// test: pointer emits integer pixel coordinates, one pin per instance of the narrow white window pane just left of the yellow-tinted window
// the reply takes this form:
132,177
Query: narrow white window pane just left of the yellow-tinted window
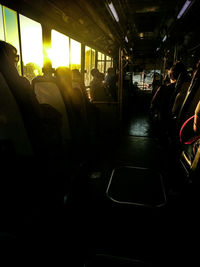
75,57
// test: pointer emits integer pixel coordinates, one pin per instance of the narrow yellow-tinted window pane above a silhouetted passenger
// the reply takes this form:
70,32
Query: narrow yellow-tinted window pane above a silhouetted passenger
89,64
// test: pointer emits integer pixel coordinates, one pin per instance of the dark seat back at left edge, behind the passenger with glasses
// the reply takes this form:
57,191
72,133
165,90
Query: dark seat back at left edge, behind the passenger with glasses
12,130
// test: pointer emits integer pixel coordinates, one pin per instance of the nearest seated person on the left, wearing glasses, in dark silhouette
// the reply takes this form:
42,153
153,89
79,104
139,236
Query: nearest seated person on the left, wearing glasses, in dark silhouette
38,119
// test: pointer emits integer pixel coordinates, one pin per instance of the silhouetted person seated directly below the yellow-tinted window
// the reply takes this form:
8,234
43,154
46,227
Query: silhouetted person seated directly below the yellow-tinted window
98,90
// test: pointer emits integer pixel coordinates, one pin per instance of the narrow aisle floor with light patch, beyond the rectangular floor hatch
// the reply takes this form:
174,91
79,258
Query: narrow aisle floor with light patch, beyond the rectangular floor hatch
139,145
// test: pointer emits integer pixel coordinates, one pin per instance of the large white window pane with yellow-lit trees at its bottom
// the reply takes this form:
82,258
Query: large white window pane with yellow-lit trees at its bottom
32,53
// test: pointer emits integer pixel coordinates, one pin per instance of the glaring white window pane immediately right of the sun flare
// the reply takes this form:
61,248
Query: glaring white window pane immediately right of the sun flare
59,49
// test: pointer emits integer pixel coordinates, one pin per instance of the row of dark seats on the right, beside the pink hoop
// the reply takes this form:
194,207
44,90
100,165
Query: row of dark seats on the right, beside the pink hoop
179,127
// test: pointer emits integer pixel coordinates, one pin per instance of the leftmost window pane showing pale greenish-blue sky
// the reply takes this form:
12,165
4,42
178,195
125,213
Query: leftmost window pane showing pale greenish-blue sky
11,30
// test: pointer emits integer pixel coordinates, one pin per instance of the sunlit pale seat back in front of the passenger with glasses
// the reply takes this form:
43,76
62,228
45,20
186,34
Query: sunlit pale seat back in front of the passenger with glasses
47,92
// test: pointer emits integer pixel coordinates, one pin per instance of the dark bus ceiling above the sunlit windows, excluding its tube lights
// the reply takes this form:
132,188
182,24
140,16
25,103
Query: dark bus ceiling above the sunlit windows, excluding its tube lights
144,22
